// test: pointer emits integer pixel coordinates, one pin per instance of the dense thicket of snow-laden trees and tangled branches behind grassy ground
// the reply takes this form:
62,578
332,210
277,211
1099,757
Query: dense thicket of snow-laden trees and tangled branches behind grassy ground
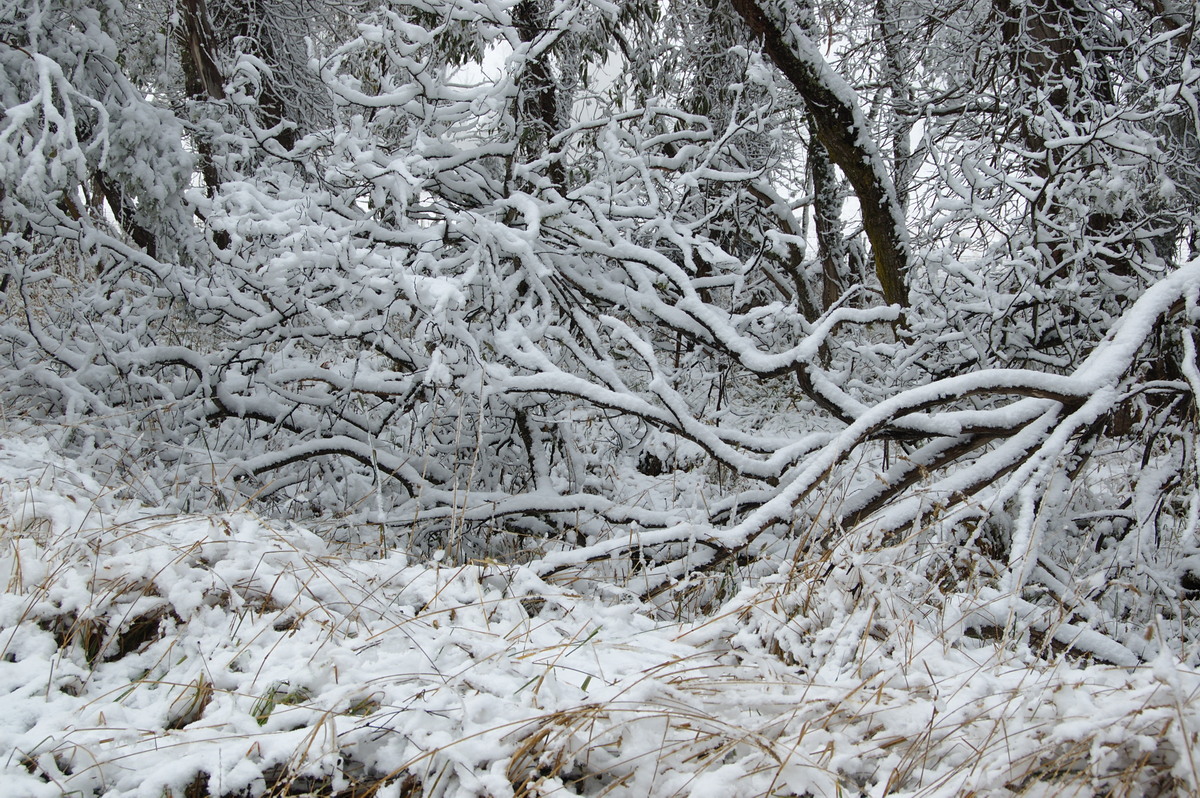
667,295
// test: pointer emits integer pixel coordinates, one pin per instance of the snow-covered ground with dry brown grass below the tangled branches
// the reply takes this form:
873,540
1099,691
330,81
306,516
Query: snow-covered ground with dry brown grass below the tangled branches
151,655
